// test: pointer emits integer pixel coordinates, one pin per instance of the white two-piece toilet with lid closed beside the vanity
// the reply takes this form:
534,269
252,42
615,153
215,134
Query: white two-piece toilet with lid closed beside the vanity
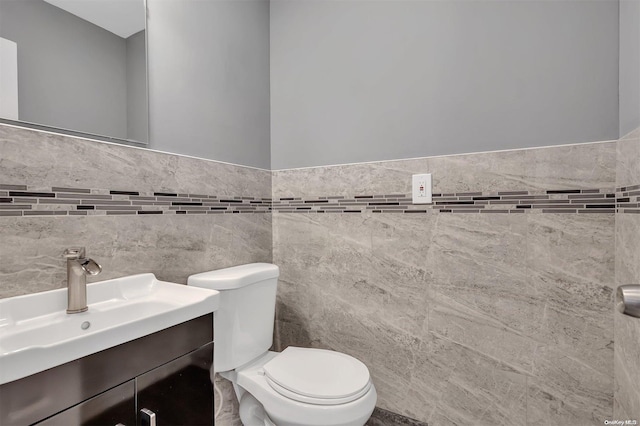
296,387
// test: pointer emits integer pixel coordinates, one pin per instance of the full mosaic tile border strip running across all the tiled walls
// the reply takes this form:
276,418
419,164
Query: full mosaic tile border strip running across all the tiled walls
21,200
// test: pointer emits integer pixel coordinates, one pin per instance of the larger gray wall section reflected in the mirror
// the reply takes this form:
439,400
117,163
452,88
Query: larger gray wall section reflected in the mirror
71,74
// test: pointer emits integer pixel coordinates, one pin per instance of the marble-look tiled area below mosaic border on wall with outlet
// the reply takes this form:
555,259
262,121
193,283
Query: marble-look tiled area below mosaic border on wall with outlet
490,327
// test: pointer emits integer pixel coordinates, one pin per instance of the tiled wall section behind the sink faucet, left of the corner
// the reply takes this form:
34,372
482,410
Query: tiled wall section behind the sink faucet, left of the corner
134,210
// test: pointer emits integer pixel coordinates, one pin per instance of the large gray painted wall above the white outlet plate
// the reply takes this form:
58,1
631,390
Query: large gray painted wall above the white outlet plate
356,81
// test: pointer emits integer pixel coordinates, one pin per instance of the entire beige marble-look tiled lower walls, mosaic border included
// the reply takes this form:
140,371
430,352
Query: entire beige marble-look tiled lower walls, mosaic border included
493,306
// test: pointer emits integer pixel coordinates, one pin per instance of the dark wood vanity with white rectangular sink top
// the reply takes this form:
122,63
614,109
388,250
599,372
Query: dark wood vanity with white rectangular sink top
140,355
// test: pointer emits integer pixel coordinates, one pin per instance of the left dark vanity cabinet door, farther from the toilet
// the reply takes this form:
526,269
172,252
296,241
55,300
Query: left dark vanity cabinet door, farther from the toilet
115,406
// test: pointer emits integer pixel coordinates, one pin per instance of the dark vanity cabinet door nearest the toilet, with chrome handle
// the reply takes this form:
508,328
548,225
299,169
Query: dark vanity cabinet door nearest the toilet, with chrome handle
179,392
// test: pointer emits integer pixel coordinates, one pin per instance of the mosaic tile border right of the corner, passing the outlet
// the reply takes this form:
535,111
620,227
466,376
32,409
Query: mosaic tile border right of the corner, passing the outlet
581,201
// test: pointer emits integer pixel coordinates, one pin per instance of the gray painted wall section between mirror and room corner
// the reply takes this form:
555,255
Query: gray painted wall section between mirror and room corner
209,79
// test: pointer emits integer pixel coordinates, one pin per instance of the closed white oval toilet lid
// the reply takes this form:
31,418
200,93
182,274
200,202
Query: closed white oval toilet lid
317,376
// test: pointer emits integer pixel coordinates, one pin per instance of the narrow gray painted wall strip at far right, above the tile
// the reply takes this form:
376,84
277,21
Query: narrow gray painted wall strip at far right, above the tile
629,66
